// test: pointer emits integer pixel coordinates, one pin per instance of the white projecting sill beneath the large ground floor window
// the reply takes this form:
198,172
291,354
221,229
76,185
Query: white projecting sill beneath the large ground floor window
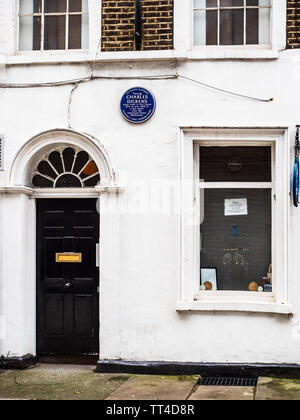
233,306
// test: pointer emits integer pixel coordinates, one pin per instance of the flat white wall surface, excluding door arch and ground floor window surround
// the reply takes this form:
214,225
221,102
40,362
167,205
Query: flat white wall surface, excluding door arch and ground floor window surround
140,247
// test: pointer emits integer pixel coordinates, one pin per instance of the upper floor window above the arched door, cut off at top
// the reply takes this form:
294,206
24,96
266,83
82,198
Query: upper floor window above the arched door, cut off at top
53,24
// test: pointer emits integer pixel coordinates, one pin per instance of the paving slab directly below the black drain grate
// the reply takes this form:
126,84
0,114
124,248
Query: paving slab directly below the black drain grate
223,393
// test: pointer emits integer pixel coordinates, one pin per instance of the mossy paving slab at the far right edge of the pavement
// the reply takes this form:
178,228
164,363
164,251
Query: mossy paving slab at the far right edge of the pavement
278,389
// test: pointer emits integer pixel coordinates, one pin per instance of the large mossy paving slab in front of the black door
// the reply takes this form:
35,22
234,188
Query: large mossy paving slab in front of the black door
58,383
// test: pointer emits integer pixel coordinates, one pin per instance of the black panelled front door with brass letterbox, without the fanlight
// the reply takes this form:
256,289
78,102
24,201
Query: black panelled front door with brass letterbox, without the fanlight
67,276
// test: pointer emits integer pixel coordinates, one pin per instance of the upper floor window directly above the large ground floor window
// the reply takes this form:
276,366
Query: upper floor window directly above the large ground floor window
231,22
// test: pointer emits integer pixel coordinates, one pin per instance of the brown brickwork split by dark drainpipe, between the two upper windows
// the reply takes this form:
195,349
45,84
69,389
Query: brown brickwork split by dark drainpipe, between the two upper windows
118,25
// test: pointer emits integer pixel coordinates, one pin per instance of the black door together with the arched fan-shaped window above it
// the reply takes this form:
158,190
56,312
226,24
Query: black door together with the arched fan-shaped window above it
67,246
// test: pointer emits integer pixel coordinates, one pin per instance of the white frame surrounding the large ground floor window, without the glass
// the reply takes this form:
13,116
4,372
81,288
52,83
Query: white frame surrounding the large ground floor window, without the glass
189,296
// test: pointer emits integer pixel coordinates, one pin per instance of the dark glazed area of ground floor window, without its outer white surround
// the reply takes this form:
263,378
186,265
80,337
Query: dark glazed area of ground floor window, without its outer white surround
235,218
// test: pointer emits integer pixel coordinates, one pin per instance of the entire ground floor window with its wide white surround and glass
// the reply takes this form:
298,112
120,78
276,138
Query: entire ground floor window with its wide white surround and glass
234,220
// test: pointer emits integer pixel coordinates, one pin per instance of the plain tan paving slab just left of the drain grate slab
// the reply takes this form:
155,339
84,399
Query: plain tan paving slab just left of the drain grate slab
144,387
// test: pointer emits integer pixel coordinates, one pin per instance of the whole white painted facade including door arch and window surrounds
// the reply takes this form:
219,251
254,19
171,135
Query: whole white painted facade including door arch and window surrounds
150,307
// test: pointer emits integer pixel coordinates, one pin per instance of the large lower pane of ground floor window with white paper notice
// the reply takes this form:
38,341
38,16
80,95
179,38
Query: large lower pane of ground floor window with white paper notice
235,236
